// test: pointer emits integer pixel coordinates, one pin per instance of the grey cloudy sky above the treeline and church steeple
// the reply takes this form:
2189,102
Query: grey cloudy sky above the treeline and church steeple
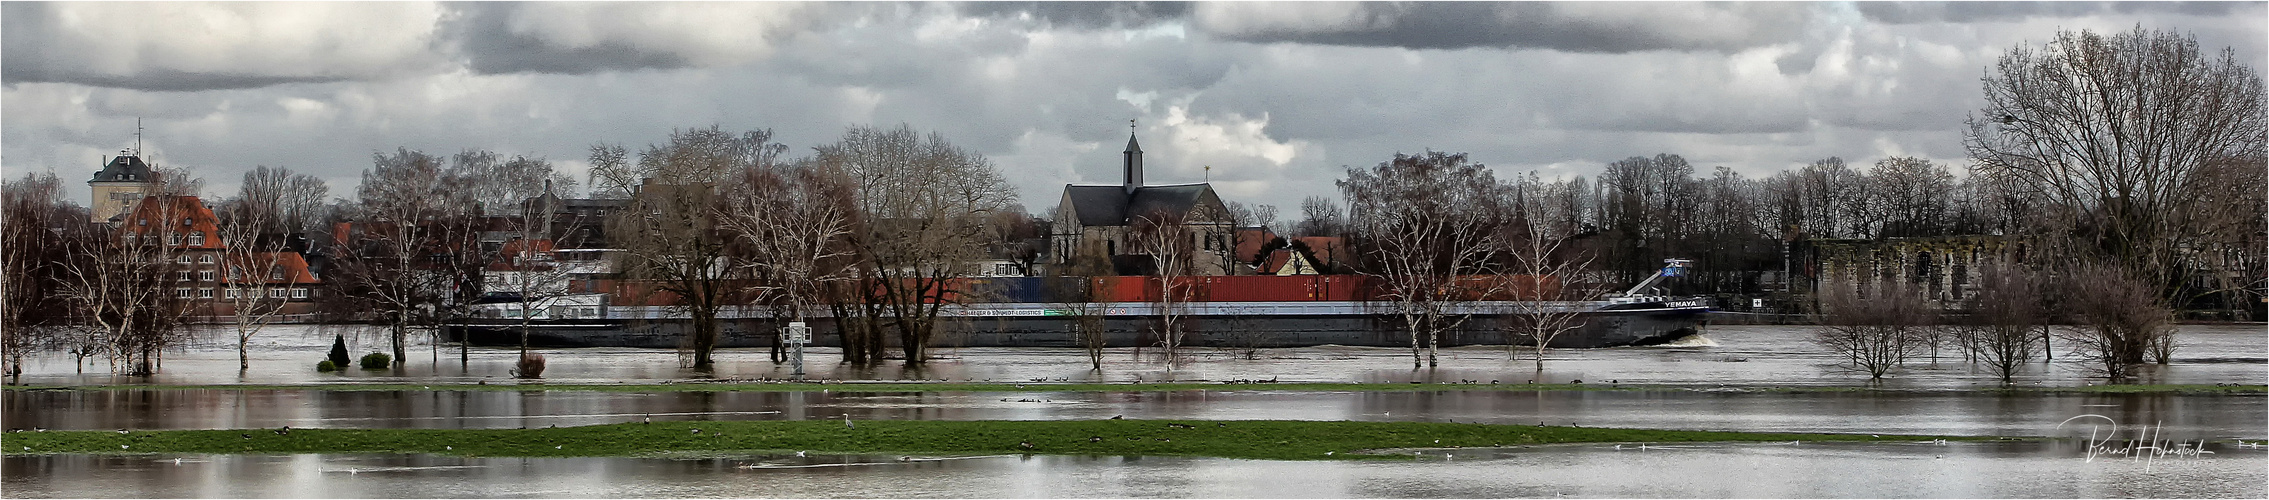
1276,97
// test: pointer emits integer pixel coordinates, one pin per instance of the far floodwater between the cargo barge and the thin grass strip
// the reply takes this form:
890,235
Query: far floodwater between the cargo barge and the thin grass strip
1739,356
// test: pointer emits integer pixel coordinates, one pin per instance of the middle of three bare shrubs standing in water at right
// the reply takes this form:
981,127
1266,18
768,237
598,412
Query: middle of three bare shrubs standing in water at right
2005,319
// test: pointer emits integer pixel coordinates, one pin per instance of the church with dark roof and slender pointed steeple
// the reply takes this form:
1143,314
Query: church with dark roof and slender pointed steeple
1095,222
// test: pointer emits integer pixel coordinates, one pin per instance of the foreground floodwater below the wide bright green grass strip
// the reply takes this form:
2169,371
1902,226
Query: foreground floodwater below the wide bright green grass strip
1578,472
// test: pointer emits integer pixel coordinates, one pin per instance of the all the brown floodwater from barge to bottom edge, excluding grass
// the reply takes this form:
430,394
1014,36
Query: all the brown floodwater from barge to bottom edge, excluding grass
1719,367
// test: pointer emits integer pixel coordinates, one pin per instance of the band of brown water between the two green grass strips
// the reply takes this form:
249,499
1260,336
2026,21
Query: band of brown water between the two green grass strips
1977,415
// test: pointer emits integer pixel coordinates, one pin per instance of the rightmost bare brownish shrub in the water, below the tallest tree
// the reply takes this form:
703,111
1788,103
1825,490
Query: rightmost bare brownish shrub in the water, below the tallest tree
2120,317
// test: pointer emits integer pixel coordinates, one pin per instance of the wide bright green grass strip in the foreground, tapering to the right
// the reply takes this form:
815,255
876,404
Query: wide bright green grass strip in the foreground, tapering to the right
1233,440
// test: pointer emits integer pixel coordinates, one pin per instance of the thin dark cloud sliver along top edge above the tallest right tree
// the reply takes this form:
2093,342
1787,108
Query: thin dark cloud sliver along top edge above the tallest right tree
1982,12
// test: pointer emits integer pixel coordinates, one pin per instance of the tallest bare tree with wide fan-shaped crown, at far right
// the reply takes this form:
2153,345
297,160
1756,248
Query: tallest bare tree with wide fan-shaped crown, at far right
2111,131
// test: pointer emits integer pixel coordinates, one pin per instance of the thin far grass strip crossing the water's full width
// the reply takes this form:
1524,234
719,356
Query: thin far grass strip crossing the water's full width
1079,387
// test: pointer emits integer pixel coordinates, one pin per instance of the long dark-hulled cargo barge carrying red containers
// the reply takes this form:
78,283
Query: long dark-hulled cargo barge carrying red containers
1131,319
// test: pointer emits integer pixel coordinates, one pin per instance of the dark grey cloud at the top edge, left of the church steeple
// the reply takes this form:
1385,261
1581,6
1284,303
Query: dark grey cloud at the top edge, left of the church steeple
489,44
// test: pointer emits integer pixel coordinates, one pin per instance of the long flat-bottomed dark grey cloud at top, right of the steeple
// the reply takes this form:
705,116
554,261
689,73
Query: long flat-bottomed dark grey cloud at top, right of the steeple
1558,26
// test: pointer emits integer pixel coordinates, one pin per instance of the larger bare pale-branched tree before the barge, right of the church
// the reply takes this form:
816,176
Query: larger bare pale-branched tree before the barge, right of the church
1426,222
